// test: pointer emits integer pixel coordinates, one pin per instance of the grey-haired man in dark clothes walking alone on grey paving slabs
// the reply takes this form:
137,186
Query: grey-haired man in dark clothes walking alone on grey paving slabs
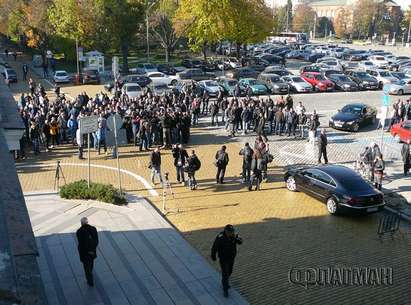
87,238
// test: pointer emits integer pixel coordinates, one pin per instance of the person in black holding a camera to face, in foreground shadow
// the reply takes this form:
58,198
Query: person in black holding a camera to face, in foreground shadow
225,246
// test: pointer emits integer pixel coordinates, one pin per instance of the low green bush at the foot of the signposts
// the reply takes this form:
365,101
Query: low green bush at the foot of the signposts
97,191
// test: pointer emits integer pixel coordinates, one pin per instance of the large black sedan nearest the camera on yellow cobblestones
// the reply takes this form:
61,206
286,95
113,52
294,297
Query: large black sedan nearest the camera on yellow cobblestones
339,187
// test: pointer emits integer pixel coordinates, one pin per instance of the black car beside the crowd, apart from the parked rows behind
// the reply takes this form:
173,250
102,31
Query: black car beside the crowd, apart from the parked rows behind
353,116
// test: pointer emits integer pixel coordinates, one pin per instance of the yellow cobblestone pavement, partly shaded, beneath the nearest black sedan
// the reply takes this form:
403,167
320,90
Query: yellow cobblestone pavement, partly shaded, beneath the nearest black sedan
281,230
